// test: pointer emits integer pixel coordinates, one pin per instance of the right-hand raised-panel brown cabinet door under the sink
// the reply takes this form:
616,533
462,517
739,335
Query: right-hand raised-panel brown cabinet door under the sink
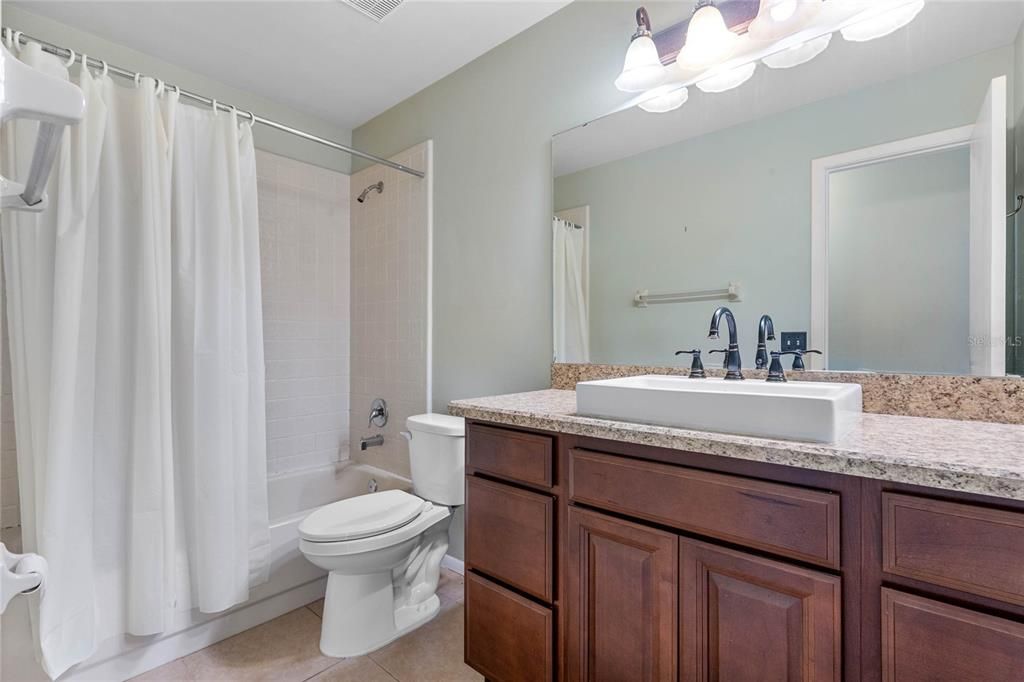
746,619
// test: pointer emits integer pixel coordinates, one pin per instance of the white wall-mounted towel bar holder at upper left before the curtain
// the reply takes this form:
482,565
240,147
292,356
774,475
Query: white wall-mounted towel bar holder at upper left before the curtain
29,94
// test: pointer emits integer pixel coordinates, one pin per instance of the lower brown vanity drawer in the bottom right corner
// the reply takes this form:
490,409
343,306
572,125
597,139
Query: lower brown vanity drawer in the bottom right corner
924,641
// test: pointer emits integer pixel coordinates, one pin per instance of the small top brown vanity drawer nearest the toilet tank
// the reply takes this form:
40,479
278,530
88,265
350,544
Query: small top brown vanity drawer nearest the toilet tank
513,455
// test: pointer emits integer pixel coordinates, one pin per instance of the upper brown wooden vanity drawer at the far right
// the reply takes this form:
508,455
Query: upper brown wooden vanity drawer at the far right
955,545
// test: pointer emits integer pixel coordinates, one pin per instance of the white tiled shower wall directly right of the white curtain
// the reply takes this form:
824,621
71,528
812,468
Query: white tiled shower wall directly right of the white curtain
305,252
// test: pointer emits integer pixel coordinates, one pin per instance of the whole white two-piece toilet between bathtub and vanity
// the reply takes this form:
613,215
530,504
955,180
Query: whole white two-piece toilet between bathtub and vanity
383,550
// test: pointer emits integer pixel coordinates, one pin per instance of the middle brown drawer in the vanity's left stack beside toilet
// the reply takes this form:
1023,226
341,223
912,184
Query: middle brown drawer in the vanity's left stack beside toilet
510,536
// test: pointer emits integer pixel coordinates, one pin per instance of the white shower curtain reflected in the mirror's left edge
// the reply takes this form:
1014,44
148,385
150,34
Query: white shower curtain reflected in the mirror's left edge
572,321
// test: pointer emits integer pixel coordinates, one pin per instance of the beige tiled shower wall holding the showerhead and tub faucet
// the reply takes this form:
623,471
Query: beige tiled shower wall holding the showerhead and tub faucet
391,305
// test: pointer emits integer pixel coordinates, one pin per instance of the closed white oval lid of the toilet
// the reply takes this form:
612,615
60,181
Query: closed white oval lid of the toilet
364,517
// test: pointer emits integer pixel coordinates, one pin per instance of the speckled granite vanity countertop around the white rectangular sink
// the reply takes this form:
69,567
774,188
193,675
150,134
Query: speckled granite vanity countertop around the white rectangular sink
971,457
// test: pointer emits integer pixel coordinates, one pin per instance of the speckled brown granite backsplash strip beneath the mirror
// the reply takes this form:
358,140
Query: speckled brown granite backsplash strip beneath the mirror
971,399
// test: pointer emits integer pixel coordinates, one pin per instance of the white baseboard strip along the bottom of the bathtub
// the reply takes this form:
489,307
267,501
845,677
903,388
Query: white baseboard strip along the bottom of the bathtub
189,642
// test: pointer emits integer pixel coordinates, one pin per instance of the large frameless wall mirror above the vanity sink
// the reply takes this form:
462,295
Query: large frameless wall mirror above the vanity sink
861,199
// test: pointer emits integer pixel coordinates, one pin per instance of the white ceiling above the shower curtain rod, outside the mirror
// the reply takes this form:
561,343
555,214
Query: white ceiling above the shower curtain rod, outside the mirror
323,57
